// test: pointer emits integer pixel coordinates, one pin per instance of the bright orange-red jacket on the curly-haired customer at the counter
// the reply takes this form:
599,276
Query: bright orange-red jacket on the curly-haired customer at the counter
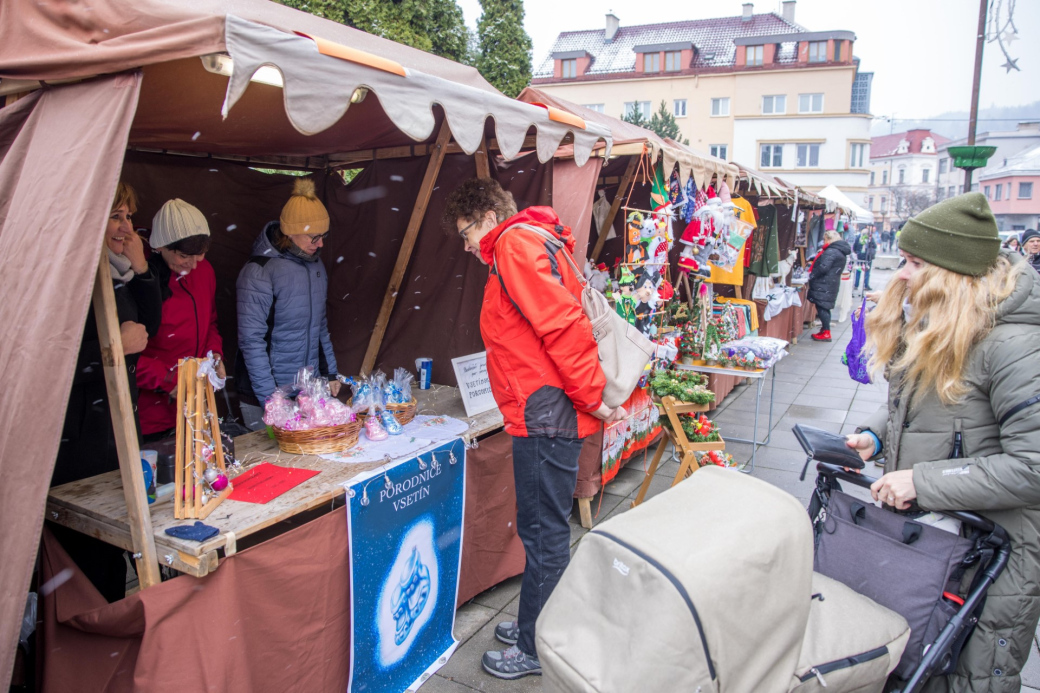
542,360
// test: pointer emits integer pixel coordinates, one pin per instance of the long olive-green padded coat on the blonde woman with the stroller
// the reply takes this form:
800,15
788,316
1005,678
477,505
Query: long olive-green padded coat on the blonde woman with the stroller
999,477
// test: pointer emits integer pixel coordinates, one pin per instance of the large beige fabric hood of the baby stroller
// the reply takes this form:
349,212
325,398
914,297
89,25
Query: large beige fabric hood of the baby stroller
708,585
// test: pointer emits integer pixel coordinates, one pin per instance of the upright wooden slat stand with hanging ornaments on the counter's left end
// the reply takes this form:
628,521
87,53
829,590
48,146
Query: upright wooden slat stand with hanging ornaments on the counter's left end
197,420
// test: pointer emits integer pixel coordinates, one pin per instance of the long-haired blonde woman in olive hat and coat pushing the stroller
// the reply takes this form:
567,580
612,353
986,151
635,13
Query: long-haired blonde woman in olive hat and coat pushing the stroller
958,336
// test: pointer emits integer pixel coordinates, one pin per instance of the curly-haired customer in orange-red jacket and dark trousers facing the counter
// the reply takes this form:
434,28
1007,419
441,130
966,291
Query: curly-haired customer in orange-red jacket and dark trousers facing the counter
545,376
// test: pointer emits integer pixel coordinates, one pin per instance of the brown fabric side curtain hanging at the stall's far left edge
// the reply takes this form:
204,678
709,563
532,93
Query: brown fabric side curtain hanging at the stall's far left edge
61,155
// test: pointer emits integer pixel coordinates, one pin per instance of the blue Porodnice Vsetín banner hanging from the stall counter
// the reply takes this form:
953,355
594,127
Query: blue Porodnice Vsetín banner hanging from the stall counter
405,524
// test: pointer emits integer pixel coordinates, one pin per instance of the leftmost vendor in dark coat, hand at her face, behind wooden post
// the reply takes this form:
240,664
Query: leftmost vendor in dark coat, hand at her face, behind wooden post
88,447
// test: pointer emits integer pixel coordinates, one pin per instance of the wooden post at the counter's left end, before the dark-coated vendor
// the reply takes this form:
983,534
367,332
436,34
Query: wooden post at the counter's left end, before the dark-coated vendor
124,426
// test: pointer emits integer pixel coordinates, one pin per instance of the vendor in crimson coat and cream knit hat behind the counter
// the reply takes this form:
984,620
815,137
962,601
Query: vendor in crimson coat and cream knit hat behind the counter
180,237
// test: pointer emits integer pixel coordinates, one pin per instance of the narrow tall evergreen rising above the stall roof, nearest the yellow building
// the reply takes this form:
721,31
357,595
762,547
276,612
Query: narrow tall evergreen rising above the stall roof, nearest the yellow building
506,48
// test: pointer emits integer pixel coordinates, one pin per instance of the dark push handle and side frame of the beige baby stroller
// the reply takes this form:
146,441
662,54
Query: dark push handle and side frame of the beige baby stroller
992,551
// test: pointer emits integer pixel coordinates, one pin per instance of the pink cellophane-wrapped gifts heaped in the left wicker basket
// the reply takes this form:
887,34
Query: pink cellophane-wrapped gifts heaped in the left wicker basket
307,404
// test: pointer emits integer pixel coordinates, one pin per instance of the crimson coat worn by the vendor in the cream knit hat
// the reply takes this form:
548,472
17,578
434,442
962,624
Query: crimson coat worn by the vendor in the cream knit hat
189,328
